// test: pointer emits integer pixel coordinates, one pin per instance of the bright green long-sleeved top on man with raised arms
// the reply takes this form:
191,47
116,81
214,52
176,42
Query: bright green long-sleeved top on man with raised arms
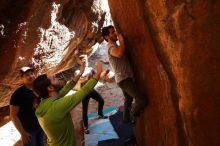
54,114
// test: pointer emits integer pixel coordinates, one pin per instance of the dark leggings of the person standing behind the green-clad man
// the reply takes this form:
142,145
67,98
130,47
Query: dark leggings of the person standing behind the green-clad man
96,96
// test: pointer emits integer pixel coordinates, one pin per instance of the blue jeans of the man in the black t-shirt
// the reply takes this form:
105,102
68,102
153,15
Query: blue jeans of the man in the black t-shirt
37,138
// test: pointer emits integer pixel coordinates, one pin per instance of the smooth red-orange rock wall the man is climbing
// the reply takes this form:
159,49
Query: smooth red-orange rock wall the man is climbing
174,46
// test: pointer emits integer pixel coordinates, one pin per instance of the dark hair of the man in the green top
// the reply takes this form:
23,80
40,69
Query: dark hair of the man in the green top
40,85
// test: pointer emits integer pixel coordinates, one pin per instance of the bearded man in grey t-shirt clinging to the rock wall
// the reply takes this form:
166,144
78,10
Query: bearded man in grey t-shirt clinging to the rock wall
123,73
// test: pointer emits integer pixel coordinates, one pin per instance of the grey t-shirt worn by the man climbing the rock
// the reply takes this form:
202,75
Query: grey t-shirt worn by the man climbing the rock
120,66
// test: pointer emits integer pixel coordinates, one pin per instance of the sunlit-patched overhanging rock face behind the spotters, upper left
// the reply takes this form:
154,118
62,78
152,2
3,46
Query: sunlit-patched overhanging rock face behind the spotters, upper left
45,34
